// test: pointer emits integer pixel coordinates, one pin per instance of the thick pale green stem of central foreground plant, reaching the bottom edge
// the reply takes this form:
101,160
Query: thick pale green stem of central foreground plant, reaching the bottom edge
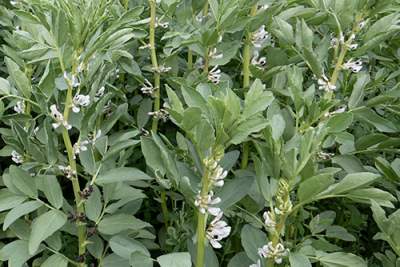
201,223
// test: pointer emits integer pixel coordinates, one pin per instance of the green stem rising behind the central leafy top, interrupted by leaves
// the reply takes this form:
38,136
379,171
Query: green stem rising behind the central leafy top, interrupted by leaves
246,81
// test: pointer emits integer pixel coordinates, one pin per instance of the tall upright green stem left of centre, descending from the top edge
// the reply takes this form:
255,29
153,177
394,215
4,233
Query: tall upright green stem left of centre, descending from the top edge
154,63
